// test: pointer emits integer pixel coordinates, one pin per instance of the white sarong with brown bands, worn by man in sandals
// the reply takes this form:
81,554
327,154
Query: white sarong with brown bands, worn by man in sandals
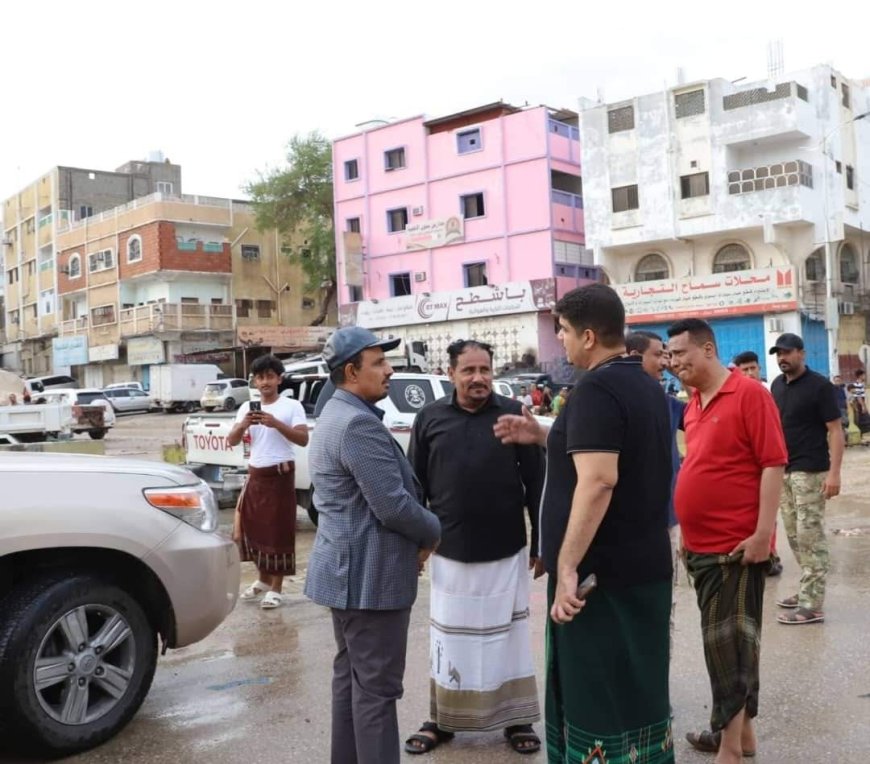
481,674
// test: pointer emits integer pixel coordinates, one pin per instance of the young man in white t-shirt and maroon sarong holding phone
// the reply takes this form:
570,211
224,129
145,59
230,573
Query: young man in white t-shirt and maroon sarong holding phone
265,520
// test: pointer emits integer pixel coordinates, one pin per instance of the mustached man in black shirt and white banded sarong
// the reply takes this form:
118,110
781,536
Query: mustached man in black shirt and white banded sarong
482,675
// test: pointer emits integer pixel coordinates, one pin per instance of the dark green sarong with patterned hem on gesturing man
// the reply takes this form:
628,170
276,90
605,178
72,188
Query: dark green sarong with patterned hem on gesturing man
607,679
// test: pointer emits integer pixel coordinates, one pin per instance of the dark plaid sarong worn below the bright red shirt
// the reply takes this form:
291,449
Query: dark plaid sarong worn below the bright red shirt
730,596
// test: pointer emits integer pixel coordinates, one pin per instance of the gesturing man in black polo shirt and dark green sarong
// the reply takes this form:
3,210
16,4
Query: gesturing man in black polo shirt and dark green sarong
605,512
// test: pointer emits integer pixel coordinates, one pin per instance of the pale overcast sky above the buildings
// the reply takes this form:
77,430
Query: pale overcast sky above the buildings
220,87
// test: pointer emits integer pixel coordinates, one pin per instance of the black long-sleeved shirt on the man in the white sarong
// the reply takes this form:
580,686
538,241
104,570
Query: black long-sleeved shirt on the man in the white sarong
477,486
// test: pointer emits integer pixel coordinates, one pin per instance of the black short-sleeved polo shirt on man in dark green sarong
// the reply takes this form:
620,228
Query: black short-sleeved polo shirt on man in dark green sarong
616,408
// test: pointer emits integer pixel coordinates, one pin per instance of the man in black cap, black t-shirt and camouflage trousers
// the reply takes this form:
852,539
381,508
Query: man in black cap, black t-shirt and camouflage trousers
814,437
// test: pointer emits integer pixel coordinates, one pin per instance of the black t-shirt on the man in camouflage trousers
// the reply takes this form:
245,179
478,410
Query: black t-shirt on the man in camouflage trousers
806,405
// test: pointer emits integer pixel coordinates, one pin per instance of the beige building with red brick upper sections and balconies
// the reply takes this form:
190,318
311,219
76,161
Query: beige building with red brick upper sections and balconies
171,279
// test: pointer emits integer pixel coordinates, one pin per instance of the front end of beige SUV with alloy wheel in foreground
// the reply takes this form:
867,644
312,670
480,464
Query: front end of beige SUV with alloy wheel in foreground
96,564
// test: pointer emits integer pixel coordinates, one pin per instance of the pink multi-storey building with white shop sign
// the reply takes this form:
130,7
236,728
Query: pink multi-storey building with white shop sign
469,225
